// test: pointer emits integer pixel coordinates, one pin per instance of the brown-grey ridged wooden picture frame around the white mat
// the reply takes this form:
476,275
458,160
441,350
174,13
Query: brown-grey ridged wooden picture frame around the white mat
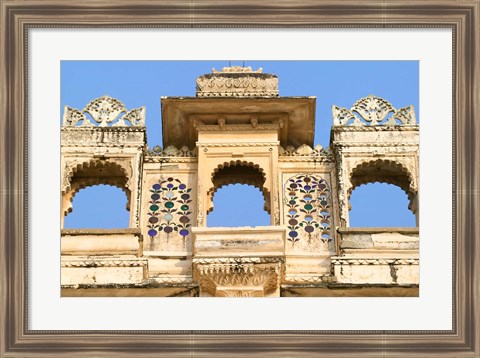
18,17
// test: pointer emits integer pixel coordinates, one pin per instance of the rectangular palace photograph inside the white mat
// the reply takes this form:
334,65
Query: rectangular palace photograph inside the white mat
239,178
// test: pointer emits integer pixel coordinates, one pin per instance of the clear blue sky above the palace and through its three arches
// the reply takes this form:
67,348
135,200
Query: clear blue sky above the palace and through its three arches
142,83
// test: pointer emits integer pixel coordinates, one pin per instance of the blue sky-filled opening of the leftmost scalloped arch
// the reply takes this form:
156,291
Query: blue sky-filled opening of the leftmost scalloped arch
99,206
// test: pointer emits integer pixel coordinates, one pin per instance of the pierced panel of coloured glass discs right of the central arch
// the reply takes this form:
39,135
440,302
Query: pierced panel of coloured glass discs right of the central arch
308,208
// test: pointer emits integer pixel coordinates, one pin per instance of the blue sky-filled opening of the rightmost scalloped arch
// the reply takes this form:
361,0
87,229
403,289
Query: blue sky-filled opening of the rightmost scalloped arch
380,205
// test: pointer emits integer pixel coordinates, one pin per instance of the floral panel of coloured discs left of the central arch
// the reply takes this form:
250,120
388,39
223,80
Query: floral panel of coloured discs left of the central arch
169,209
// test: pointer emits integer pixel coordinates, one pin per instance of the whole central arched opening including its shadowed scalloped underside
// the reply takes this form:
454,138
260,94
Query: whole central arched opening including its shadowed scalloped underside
238,197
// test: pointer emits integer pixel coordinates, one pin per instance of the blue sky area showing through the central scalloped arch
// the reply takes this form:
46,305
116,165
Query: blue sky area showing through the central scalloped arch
238,205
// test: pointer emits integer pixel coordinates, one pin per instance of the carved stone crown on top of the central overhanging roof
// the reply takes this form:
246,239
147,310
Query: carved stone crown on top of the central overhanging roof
237,81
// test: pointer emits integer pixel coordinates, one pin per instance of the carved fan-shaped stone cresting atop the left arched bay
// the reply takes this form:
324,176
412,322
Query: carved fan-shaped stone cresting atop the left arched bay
104,111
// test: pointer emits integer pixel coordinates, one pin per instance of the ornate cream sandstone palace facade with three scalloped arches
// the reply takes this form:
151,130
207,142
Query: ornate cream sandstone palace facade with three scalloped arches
237,129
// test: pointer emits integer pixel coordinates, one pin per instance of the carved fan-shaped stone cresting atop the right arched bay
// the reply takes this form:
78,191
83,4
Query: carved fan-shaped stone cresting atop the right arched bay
373,111
